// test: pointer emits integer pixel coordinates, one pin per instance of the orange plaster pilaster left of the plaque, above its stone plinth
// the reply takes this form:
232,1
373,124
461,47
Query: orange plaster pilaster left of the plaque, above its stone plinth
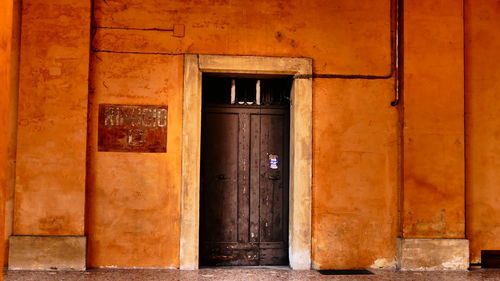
52,123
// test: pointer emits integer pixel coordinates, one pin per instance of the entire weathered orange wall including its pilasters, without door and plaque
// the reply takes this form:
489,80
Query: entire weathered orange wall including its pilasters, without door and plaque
132,208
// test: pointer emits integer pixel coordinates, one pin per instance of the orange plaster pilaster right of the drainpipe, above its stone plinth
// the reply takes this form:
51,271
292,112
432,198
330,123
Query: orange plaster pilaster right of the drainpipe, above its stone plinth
433,131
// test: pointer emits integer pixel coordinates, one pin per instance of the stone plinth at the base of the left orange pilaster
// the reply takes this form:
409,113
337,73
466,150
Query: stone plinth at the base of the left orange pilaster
47,252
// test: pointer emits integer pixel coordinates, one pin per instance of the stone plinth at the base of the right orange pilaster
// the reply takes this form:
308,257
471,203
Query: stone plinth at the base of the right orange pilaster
433,254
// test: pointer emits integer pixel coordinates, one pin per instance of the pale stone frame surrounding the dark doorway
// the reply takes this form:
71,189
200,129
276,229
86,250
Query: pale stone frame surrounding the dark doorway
300,148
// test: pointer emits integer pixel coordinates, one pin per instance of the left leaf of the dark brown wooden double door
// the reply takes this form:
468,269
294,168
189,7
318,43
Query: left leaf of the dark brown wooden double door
224,212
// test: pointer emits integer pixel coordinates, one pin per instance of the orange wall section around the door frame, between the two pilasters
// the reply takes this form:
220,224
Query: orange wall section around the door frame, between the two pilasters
355,130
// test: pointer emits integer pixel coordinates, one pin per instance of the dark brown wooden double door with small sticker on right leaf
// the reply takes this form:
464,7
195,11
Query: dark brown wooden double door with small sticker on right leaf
244,185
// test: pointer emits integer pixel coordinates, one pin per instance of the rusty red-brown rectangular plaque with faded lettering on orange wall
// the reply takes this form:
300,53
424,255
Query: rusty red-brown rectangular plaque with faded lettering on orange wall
132,128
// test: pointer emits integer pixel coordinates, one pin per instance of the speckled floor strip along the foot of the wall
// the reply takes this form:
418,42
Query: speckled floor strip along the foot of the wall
244,274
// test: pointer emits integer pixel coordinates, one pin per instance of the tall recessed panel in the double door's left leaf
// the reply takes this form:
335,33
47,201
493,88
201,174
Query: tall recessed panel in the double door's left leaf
219,178
